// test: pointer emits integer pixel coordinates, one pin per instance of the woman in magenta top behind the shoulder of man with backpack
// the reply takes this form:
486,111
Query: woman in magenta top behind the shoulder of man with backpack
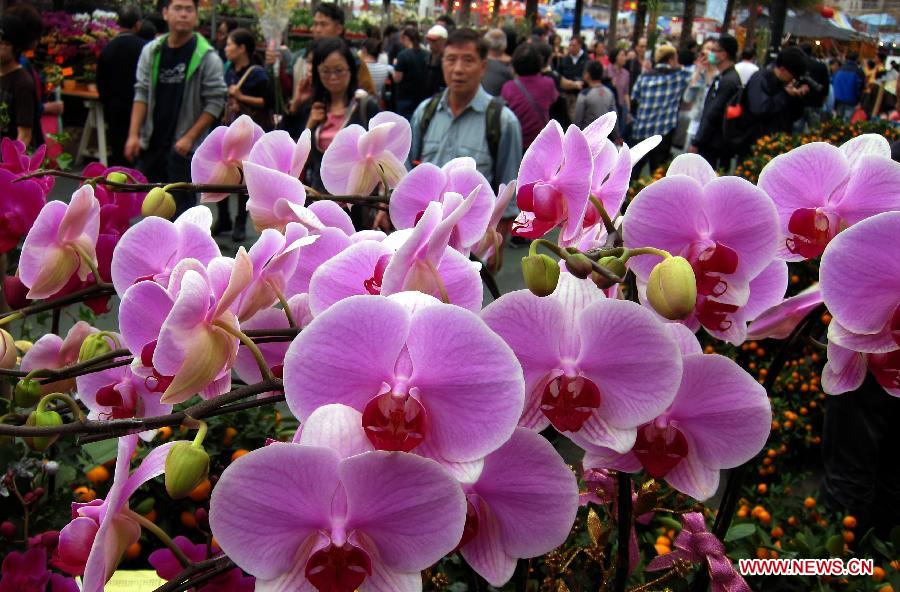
530,94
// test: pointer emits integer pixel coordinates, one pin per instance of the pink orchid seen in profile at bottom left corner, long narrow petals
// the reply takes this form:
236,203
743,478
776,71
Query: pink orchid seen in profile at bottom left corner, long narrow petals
93,543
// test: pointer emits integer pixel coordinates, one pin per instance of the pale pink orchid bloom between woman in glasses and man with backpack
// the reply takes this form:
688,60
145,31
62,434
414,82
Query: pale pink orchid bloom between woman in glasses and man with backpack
358,160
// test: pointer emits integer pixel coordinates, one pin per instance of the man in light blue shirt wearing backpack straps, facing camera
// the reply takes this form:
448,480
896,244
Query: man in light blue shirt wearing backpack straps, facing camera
464,120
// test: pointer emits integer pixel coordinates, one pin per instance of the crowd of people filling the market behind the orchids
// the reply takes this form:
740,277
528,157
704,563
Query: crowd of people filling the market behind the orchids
485,95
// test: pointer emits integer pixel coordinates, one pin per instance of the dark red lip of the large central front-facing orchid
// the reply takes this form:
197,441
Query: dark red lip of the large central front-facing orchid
394,422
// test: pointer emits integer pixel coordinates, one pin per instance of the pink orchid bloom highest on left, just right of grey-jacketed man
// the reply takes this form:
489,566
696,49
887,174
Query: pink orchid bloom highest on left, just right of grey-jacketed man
218,158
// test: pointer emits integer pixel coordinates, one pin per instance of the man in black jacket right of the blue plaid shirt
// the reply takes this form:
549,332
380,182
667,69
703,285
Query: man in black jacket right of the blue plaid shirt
709,141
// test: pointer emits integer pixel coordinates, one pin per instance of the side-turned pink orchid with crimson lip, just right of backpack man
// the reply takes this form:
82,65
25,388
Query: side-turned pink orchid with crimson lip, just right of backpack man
554,183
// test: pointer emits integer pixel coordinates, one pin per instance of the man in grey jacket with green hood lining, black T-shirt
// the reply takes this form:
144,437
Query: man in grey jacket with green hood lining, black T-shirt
179,95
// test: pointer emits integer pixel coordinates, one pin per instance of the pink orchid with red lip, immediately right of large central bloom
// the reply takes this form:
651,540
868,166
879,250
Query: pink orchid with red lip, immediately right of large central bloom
574,380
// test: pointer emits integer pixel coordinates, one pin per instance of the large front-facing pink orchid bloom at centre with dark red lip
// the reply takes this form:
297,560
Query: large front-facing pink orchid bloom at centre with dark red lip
407,395
